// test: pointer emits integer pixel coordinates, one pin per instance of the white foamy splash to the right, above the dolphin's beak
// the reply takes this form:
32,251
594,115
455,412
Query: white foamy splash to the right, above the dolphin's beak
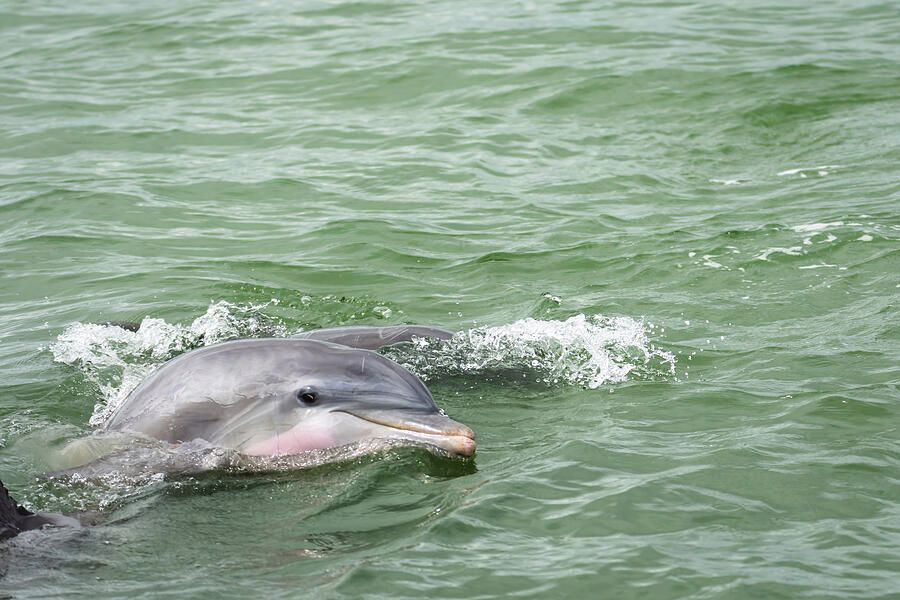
589,351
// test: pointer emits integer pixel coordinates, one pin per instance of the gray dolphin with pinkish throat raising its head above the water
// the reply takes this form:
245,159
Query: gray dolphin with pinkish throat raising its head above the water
284,396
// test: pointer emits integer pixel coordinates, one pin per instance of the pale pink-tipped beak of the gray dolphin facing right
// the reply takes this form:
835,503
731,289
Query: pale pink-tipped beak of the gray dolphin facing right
433,429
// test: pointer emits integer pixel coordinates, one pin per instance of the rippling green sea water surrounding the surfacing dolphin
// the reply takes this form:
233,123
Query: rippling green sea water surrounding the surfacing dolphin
719,179
